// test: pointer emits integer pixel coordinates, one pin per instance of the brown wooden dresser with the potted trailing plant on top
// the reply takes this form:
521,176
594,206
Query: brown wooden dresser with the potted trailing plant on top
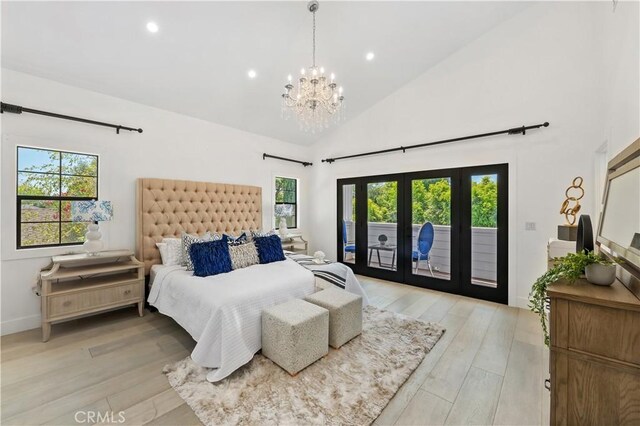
594,354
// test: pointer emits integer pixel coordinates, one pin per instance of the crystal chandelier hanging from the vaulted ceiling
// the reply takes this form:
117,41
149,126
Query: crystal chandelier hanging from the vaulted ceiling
316,100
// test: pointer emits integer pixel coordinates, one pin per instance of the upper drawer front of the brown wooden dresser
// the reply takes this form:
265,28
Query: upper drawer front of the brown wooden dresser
605,331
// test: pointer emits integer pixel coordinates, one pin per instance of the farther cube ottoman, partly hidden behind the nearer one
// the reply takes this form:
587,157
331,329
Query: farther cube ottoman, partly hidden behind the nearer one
345,314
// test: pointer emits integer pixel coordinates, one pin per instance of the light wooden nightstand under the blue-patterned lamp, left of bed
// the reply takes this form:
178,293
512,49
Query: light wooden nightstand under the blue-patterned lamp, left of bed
77,285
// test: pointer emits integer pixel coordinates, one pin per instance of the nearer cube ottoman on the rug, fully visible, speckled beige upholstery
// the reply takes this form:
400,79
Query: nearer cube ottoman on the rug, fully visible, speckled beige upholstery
295,334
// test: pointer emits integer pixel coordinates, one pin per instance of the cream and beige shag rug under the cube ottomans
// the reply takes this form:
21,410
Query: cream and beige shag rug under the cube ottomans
350,385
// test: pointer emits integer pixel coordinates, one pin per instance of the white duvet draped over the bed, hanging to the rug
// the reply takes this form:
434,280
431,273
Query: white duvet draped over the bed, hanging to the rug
223,312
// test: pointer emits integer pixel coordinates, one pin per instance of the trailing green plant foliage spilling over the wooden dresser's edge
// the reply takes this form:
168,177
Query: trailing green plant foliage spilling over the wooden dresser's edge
571,267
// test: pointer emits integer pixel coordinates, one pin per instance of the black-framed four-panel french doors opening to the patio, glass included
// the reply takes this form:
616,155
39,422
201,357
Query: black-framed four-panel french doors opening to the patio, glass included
439,229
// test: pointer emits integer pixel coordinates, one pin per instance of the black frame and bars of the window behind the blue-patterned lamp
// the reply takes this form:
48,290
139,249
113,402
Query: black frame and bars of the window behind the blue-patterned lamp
60,199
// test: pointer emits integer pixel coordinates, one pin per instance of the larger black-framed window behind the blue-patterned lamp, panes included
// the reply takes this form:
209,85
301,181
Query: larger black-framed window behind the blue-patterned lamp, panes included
48,181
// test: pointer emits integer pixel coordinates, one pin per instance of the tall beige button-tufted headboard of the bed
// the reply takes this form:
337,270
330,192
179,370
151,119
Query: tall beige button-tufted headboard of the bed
166,208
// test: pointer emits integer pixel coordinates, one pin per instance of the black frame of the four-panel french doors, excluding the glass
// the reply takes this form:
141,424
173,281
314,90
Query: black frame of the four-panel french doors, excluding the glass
460,280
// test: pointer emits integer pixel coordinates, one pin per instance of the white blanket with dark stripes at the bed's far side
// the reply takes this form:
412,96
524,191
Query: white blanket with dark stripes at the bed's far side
332,273
